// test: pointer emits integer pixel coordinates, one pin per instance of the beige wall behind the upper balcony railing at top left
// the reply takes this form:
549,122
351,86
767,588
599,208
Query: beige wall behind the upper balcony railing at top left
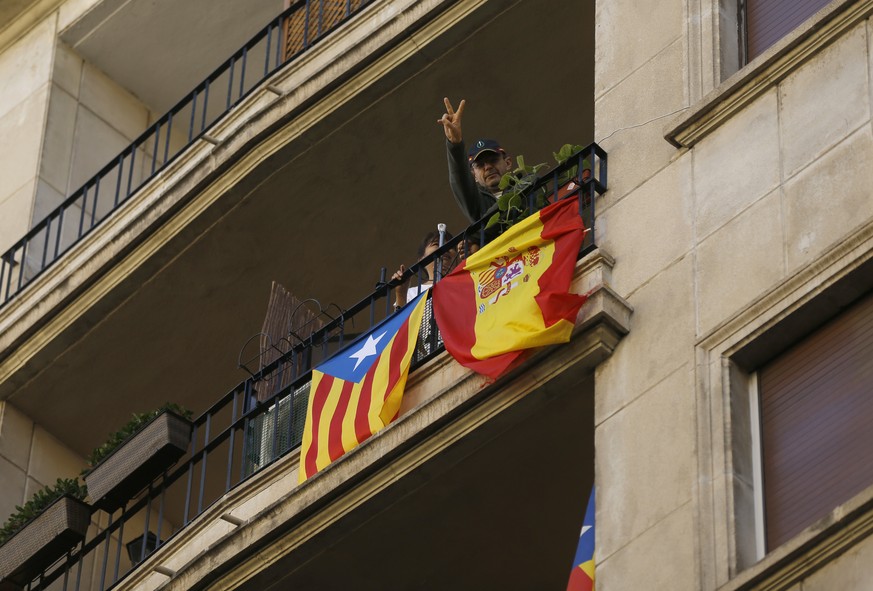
61,120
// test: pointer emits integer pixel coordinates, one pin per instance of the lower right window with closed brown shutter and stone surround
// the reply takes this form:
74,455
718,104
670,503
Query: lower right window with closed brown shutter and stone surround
784,424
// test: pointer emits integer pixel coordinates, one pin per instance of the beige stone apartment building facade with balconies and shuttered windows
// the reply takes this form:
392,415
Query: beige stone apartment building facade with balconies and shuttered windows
162,165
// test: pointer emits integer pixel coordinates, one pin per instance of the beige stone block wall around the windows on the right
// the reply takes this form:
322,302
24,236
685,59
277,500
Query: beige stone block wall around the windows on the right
702,235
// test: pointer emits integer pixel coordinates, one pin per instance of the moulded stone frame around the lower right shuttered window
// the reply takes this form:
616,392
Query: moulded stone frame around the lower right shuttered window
729,500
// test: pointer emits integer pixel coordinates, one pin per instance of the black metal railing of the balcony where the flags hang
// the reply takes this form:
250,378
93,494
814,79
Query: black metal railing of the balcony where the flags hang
238,435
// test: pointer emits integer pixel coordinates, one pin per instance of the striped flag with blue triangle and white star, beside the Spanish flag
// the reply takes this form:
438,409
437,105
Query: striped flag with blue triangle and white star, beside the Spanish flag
358,391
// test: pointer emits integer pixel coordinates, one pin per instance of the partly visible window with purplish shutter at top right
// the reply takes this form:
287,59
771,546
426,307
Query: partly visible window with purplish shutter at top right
764,22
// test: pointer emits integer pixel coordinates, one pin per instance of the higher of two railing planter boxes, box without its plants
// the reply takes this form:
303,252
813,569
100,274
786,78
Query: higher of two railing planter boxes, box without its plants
138,460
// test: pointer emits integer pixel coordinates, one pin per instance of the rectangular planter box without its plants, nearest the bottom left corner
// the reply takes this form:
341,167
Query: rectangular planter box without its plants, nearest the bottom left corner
42,541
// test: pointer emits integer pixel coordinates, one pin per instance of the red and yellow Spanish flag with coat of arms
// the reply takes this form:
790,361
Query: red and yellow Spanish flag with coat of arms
513,294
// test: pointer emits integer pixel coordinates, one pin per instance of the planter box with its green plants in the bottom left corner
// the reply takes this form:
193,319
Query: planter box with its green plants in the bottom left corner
52,522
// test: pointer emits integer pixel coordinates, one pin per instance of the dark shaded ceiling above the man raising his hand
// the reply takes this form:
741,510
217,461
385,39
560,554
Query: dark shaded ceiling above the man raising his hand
352,194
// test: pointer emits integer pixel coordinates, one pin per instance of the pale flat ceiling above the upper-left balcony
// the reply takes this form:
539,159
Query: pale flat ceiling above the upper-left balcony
160,49
